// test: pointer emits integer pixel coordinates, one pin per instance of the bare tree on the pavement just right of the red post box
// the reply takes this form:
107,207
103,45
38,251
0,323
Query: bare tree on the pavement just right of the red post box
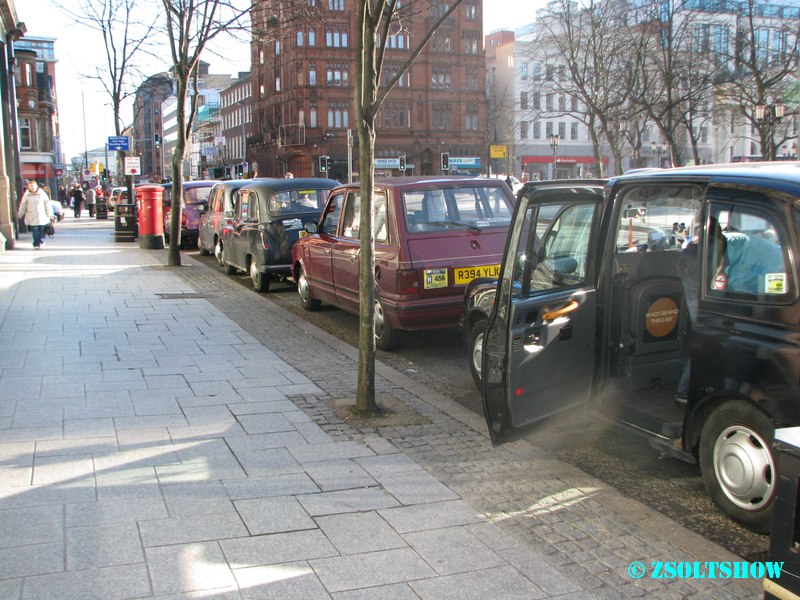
190,25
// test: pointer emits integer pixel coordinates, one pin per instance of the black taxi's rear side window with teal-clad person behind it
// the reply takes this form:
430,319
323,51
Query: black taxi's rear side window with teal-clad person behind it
746,257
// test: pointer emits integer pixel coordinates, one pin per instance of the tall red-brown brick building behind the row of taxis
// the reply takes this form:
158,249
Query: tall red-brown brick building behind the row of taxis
303,77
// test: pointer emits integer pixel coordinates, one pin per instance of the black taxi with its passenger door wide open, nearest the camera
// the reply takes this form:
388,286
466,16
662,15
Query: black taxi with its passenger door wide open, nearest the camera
592,307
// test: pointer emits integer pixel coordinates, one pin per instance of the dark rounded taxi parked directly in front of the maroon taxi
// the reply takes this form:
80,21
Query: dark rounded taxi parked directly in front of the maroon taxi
270,217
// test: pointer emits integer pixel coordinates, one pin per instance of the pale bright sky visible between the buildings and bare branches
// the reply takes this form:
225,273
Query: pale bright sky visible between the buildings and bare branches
84,107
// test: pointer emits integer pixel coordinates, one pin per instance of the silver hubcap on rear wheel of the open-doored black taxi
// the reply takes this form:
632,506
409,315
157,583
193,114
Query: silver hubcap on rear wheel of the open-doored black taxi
743,466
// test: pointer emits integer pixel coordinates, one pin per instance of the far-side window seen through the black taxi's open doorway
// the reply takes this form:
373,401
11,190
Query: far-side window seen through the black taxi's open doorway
656,218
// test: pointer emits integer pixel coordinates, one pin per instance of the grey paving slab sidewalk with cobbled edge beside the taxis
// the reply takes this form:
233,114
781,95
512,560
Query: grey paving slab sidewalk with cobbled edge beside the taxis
166,433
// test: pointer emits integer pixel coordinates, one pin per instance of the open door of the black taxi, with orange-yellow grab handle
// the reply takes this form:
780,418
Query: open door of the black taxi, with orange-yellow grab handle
540,349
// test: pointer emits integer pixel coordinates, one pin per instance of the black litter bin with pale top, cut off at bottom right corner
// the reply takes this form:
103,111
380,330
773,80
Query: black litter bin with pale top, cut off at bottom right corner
784,540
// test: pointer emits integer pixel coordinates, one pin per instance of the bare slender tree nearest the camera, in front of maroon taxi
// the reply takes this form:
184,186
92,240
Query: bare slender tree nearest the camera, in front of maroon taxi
377,22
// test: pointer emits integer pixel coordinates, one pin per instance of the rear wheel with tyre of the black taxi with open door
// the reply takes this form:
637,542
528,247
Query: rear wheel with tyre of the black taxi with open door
737,463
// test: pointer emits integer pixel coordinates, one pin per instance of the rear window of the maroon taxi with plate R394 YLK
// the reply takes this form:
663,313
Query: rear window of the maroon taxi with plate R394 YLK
456,208
